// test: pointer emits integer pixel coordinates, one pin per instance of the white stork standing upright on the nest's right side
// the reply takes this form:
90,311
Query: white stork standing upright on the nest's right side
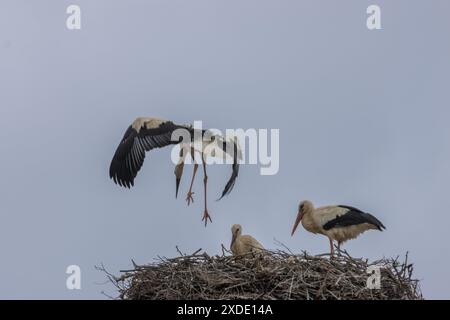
339,223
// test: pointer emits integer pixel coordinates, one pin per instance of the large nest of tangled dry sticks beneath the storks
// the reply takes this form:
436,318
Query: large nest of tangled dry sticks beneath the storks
268,275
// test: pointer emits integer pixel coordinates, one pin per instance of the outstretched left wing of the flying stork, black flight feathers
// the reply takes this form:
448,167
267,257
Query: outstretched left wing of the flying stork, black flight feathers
139,138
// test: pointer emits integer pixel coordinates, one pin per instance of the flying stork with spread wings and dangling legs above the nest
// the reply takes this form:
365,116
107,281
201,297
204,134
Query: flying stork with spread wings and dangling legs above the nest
145,134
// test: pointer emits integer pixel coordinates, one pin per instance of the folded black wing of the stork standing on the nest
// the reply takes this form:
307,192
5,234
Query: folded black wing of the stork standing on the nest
353,216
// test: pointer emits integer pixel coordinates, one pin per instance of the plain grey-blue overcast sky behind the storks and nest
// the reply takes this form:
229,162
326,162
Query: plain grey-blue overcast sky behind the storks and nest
363,118
